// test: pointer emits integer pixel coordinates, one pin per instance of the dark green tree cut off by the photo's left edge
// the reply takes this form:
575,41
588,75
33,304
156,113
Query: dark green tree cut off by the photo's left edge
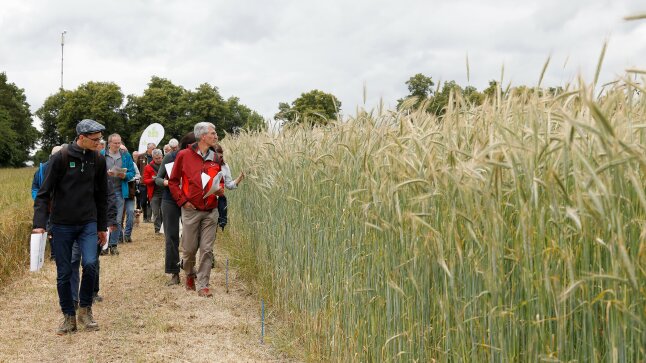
17,134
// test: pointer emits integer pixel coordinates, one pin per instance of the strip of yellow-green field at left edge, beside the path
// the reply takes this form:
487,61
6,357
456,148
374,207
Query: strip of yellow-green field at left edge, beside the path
16,212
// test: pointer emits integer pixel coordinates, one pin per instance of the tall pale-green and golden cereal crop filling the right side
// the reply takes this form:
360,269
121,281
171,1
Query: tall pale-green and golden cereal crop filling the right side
514,231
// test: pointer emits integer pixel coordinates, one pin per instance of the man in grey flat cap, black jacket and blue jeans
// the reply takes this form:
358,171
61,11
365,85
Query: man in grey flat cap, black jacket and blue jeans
76,184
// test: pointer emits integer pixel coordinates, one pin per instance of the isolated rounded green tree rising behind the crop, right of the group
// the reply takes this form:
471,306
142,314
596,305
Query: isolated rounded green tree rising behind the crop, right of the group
314,107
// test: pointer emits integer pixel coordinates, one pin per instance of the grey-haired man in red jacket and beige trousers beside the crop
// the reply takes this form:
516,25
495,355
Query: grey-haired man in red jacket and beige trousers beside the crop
193,166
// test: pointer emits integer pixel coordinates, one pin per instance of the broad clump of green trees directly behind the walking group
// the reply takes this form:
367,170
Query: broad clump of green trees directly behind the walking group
174,107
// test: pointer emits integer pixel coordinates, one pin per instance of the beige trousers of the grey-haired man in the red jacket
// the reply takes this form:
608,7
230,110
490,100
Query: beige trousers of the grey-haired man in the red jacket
198,231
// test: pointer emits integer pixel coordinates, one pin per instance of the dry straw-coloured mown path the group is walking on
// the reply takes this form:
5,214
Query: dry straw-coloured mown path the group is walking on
140,318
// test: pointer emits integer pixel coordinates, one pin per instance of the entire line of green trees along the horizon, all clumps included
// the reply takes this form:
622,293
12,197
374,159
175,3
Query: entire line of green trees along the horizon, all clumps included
178,109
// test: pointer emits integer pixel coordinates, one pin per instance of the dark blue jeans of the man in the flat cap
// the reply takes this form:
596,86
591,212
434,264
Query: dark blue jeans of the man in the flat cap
63,242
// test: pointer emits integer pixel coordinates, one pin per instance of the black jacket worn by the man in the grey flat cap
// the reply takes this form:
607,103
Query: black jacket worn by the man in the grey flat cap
78,191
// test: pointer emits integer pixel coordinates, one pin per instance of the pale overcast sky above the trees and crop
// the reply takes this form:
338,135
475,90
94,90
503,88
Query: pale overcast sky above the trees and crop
266,52
